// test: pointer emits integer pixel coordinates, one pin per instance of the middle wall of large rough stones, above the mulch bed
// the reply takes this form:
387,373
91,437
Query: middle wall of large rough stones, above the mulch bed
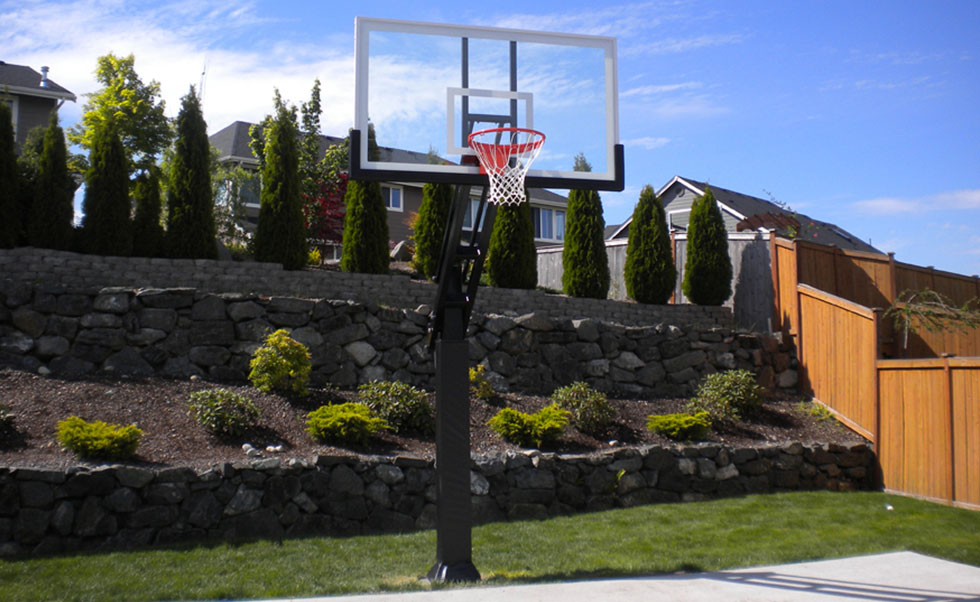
185,332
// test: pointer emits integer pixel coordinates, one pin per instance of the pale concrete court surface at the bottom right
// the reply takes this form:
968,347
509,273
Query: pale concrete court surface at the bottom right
901,576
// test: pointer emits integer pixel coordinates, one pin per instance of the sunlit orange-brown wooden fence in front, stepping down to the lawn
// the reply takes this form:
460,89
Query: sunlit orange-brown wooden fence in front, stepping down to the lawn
923,415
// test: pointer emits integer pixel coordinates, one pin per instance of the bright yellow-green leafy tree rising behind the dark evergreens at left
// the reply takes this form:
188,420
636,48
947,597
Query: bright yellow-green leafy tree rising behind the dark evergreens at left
135,110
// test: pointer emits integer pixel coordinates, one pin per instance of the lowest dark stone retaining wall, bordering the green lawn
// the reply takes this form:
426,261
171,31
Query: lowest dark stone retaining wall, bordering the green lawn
123,506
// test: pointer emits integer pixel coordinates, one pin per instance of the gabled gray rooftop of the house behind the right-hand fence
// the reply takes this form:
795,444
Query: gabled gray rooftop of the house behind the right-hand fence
762,215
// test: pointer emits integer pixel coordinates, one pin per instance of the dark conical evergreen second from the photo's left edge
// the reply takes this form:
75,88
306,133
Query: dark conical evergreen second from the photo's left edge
49,222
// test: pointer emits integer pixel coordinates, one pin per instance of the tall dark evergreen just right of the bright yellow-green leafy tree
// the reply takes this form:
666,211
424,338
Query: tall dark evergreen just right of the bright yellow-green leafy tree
191,230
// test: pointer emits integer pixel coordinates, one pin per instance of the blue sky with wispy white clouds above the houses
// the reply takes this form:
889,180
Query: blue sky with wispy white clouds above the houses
864,114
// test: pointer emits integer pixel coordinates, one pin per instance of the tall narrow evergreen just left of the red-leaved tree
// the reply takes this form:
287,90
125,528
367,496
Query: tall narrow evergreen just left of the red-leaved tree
281,233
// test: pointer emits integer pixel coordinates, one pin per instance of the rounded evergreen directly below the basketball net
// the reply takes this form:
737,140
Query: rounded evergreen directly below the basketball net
512,256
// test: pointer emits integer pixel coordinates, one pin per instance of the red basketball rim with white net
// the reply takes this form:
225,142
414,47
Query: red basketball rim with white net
506,160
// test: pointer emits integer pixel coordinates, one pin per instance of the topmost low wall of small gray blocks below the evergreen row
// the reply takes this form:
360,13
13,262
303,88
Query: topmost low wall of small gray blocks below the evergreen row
79,271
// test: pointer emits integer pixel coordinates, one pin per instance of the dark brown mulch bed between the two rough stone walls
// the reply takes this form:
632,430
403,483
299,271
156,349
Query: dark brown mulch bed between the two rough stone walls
159,407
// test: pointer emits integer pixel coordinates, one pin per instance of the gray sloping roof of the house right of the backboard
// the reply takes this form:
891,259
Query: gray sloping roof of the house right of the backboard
811,229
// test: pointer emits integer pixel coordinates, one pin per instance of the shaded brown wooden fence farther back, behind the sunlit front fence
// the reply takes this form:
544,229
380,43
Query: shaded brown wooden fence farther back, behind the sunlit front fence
872,280
